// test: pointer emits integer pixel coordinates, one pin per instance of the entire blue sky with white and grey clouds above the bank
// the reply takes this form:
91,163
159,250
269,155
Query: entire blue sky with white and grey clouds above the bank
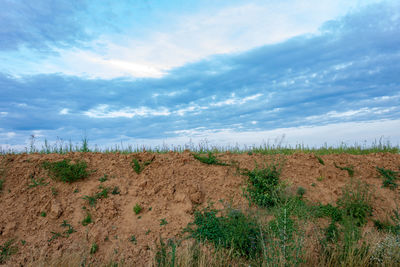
225,73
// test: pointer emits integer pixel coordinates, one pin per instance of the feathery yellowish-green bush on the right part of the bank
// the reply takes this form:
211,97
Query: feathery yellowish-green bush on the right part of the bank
356,202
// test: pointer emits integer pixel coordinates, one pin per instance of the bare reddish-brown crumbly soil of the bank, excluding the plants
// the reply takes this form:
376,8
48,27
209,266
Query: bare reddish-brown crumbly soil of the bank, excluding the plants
170,188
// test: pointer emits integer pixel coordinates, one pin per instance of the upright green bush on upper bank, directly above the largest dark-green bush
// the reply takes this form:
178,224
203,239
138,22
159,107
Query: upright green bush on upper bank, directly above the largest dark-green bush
263,186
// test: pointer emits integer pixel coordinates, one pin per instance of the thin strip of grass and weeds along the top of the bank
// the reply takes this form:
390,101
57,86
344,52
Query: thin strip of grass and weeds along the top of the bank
356,149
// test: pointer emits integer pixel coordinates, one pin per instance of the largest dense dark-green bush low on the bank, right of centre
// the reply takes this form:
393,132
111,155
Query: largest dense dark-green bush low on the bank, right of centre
233,230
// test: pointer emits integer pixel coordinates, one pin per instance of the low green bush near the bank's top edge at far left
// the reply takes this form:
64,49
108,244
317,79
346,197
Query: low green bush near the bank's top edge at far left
66,171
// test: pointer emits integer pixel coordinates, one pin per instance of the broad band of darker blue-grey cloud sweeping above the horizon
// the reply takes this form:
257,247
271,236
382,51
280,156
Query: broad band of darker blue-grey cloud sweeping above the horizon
347,72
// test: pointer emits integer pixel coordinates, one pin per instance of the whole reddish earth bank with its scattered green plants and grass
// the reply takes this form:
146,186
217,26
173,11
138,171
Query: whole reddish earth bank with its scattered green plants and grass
260,207
